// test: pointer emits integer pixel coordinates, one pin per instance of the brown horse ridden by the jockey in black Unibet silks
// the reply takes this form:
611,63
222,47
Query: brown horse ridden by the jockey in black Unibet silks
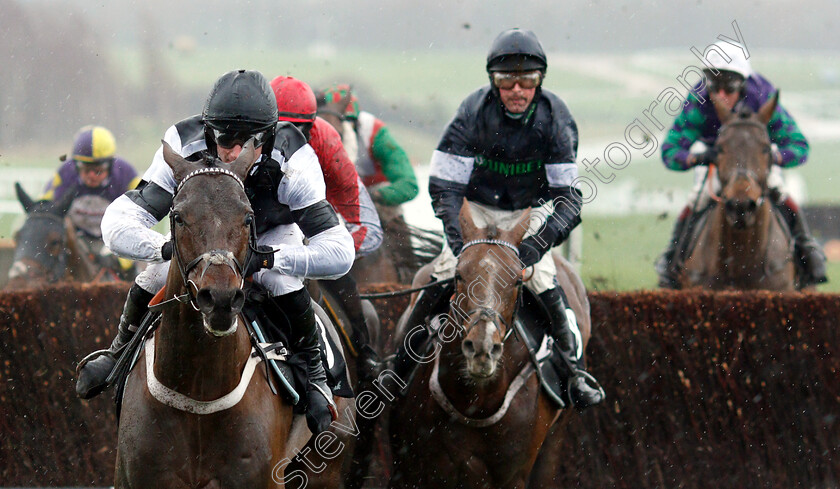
475,416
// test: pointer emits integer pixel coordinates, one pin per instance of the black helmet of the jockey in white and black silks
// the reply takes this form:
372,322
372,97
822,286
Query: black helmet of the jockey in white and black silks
240,101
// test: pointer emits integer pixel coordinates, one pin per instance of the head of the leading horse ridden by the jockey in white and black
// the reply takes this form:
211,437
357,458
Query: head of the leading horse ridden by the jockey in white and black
211,222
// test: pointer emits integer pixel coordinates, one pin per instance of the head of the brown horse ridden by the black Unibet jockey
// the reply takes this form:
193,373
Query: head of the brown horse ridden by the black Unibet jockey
487,284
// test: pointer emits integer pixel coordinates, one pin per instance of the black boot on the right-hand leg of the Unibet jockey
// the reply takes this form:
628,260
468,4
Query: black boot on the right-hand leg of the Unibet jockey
565,355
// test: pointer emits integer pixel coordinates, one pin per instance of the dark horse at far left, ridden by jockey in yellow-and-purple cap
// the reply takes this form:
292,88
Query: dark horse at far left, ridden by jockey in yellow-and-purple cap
47,249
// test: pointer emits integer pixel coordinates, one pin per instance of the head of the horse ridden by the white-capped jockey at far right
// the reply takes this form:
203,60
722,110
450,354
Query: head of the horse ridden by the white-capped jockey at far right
744,161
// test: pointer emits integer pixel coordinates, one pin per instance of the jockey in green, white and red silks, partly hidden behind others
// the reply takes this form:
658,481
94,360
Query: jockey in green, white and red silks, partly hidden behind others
381,162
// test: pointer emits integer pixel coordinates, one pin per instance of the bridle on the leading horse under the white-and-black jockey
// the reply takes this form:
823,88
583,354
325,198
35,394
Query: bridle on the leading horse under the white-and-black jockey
212,257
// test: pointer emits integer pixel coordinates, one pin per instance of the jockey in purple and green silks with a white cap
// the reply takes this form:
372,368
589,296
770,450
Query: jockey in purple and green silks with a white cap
736,86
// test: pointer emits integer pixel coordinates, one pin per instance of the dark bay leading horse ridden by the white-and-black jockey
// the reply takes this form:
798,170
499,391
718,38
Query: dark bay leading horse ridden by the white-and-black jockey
190,416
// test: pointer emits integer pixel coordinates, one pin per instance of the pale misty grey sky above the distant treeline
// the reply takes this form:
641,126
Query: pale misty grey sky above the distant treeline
576,25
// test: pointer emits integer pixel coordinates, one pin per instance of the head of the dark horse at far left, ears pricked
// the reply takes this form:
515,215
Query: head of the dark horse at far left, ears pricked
41,243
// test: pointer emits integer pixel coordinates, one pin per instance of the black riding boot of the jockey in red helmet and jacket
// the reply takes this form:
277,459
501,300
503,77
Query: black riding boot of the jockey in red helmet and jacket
367,360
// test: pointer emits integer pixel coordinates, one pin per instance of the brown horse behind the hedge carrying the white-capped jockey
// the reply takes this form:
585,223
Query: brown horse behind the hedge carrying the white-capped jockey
744,243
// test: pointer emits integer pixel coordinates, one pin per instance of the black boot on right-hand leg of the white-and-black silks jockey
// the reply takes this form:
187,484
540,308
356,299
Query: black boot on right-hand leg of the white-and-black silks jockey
321,410
